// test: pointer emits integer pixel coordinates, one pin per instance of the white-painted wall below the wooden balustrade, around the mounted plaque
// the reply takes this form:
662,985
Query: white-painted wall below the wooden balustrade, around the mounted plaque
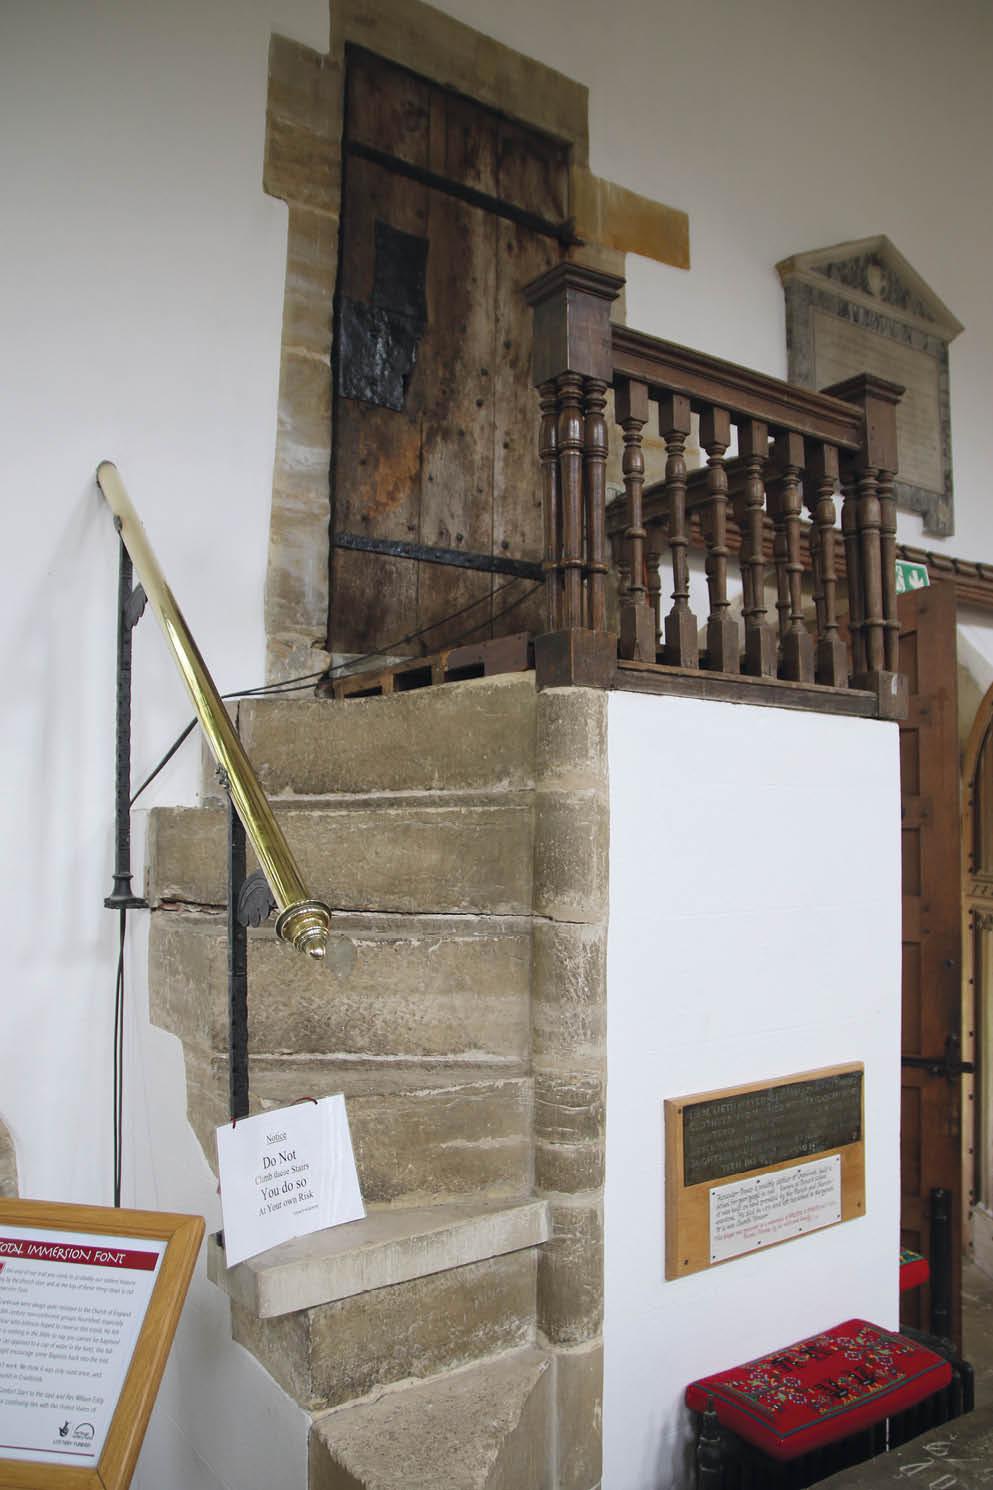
719,974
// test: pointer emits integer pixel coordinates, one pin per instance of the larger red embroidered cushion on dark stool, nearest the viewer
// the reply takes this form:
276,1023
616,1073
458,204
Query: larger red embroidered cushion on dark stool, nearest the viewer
822,1389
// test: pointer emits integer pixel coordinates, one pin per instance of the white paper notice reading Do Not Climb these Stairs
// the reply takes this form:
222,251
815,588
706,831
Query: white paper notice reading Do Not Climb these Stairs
286,1175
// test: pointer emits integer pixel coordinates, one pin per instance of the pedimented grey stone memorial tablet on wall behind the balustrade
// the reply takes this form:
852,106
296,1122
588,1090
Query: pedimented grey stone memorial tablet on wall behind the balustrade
860,308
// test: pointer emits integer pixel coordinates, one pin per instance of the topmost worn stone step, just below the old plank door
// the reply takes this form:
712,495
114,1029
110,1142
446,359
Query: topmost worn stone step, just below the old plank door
466,737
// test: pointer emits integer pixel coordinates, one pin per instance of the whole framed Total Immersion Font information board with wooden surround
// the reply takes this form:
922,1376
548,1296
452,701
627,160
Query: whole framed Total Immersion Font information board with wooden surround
90,1300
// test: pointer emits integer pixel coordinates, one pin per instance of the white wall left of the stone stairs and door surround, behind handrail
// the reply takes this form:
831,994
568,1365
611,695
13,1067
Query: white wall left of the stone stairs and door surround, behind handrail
141,300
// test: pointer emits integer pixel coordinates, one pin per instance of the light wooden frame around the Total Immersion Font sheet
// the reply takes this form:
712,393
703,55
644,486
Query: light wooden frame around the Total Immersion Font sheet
138,1397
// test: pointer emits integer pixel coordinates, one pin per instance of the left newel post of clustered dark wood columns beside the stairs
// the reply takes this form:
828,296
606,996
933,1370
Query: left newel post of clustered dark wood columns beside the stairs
573,369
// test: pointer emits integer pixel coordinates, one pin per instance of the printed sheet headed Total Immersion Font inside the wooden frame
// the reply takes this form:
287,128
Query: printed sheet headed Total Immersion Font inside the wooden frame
71,1310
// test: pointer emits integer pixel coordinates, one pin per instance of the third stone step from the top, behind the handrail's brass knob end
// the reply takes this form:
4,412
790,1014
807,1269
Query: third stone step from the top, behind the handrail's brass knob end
420,992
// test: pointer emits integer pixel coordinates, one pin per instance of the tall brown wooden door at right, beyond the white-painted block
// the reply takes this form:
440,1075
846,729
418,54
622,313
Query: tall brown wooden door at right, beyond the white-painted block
931,1103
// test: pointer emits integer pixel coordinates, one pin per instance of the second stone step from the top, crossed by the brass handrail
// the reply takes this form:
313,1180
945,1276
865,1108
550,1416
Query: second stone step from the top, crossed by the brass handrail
390,855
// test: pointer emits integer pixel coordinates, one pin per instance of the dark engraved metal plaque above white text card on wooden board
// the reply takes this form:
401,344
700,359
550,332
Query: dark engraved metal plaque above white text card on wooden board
772,1126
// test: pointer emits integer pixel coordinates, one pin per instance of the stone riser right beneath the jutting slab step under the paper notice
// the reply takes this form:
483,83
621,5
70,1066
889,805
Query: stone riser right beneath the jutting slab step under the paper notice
335,1354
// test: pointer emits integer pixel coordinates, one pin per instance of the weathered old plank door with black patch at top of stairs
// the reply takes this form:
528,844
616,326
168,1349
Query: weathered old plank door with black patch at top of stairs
435,415
